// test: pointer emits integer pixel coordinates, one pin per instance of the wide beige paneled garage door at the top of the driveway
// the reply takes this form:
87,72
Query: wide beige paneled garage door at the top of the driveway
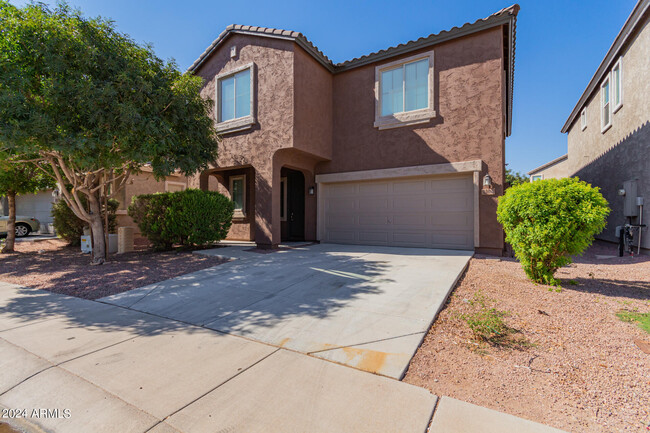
427,212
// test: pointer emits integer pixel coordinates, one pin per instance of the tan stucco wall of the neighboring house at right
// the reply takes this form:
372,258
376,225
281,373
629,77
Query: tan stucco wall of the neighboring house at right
622,152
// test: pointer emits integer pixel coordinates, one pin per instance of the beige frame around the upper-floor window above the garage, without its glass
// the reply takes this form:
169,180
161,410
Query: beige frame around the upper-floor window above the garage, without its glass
405,118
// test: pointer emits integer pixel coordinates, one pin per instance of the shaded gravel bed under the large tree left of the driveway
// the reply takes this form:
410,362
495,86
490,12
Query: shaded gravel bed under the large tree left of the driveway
51,265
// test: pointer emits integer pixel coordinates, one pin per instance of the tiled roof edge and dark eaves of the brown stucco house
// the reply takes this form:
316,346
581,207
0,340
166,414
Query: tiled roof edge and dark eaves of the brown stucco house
506,16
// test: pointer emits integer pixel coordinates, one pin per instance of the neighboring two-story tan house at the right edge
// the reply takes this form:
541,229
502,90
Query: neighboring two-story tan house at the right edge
609,128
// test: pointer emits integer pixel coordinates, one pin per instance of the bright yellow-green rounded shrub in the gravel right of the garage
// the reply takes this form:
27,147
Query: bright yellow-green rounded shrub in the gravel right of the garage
548,221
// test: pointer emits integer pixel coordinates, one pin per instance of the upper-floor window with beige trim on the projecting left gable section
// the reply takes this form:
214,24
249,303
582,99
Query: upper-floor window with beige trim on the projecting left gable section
235,99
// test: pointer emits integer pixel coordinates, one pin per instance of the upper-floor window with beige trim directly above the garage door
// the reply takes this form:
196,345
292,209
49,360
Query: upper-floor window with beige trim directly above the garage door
404,93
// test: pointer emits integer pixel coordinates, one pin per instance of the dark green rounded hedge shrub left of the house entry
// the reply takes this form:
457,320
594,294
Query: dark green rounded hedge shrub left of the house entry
189,218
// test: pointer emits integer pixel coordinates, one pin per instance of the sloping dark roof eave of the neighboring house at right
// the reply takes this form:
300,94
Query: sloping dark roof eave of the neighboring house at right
632,22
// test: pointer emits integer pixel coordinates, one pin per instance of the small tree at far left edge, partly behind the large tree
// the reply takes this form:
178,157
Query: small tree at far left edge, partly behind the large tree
18,178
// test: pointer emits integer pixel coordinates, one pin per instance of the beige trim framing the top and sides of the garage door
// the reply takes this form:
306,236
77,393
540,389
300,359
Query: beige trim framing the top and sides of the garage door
429,171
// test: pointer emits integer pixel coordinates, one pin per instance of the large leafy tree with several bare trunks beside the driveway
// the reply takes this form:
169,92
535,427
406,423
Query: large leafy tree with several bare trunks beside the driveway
95,106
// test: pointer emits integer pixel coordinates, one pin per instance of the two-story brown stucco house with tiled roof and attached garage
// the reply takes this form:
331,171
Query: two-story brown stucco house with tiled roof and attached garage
392,148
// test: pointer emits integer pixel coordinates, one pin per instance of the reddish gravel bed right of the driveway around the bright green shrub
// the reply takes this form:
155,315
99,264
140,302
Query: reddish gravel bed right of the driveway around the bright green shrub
575,365
